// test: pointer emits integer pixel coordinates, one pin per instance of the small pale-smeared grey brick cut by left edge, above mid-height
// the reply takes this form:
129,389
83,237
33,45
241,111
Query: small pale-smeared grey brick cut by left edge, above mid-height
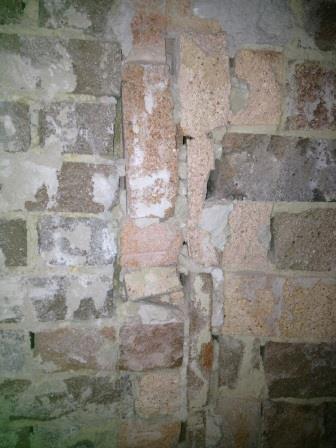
14,127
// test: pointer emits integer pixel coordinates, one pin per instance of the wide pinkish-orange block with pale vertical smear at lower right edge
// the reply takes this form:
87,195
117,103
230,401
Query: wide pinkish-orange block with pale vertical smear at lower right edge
270,305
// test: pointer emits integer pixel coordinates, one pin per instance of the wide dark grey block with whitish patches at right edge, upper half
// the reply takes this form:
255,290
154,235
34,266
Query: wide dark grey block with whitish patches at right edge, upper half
274,168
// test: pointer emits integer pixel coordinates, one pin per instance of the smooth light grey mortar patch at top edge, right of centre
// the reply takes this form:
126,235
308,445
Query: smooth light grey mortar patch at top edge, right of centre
250,22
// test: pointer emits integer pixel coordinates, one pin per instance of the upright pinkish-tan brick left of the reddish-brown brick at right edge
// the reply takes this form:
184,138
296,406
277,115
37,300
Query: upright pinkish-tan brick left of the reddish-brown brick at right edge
261,74
